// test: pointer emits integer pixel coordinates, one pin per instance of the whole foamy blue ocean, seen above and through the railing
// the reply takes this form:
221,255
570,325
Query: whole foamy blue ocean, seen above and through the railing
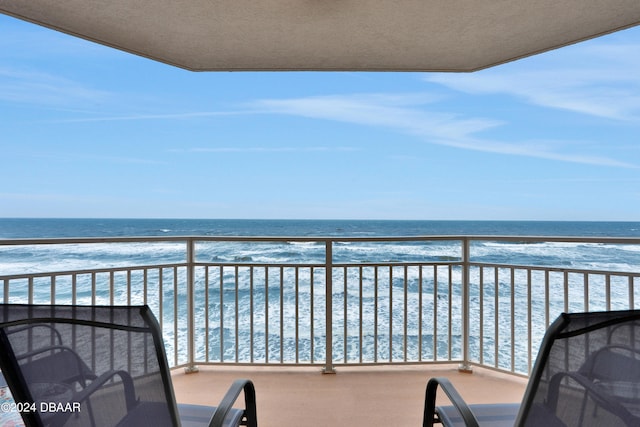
15,260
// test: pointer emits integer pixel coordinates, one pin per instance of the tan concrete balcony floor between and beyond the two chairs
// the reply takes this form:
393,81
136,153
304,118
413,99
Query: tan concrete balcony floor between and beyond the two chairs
353,397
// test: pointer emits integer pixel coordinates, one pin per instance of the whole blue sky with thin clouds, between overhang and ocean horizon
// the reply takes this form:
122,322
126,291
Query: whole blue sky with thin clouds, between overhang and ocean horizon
89,131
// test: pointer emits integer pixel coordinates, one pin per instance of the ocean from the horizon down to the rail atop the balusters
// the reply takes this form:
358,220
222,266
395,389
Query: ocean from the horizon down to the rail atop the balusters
14,260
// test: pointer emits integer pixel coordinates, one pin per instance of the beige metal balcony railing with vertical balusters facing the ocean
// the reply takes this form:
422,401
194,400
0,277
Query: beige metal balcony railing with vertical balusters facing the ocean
325,307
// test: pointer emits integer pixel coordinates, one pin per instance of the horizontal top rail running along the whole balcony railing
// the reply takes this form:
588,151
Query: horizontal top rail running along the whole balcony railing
319,239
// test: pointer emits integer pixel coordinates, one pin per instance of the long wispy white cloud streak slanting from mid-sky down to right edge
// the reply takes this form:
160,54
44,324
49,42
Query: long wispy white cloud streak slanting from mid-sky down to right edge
406,114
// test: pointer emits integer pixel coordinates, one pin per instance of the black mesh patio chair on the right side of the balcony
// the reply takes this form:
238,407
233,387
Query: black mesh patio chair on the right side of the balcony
587,374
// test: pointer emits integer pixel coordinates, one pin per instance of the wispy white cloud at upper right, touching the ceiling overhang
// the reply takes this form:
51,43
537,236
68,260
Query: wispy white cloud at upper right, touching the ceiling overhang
599,79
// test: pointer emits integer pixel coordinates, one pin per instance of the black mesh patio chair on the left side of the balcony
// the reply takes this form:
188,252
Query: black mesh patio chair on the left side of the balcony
100,366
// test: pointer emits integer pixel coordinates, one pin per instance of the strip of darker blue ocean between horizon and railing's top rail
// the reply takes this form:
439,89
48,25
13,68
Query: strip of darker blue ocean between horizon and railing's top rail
44,228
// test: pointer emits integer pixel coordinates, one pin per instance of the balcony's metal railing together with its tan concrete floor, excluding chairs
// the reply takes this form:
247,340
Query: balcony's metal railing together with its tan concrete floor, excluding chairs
385,316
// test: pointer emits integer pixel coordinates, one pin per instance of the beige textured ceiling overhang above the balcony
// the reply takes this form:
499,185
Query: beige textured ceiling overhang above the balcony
325,35
